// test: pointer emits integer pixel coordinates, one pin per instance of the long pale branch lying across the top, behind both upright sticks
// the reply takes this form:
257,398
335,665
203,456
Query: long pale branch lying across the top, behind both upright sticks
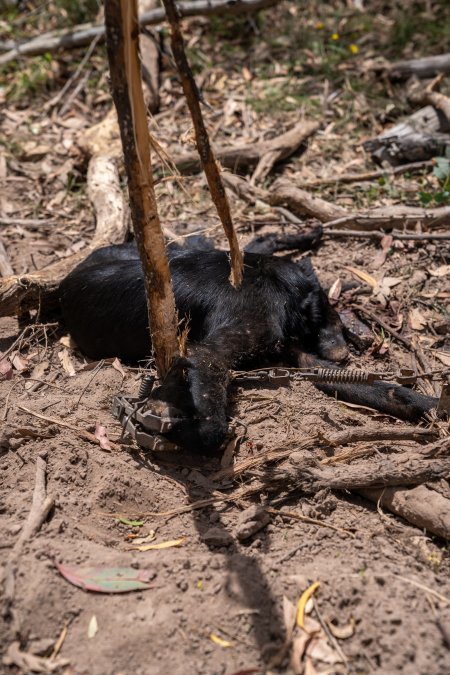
81,35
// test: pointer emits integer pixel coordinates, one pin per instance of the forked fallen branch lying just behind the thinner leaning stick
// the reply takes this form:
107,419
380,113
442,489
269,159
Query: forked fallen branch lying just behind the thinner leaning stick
262,155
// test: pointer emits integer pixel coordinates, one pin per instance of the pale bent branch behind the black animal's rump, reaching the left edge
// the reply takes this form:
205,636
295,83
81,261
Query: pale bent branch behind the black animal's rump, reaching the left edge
40,289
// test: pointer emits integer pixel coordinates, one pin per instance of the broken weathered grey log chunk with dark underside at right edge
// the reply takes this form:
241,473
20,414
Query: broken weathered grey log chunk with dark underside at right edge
418,138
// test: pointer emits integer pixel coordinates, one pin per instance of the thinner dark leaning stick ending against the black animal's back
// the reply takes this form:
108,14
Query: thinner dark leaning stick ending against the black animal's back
205,151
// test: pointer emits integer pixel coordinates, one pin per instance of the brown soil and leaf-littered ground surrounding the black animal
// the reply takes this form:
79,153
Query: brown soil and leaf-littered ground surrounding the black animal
217,603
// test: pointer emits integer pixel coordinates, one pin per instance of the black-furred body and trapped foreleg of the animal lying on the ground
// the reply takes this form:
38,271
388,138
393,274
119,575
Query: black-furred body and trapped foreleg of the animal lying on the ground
279,310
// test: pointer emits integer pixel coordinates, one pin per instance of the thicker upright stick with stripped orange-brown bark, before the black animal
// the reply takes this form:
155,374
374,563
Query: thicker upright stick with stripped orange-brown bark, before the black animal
122,41
